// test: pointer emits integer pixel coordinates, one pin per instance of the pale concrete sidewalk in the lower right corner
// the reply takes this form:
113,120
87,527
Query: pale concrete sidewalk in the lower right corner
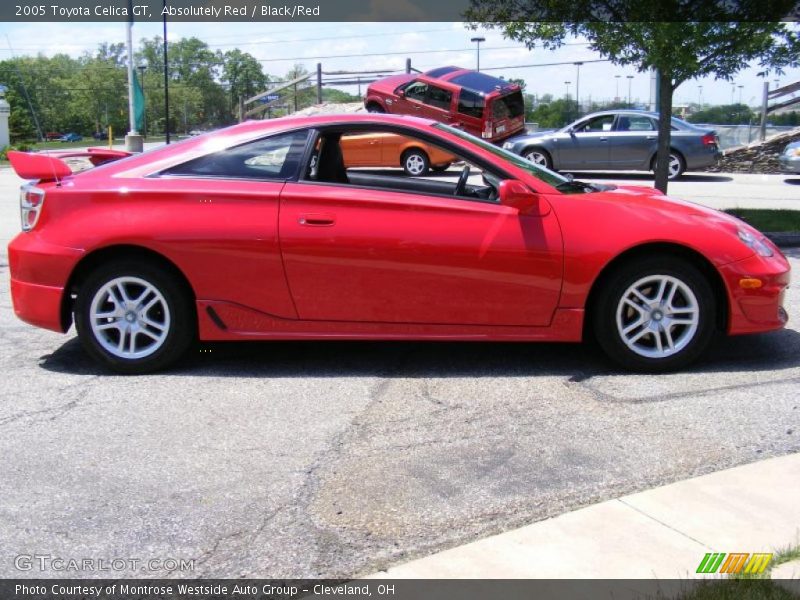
662,533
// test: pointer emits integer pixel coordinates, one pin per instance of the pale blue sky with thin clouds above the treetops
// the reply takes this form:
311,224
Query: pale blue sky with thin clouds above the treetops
386,46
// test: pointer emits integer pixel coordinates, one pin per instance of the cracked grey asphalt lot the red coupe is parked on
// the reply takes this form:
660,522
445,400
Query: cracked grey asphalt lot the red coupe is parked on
339,459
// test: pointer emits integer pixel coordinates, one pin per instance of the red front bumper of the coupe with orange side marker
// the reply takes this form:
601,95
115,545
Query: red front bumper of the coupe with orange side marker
755,310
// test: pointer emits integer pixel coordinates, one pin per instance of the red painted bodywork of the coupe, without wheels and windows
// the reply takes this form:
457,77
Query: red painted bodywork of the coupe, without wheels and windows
379,264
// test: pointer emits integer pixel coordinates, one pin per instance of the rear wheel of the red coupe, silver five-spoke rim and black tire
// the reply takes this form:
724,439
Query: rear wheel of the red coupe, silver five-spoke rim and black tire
177,322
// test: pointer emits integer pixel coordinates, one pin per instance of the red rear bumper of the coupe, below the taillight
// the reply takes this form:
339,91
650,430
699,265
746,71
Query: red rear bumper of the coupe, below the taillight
39,275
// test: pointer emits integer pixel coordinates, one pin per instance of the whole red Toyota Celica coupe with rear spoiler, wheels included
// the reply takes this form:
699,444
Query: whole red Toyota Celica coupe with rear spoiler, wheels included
259,231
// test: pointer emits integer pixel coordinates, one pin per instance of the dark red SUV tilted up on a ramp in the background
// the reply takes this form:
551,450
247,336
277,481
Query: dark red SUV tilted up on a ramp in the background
482,105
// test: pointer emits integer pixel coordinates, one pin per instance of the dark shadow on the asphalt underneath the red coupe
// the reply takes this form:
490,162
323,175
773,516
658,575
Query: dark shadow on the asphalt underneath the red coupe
764,352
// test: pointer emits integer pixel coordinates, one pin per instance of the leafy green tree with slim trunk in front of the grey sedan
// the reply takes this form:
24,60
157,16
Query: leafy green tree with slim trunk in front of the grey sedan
681,39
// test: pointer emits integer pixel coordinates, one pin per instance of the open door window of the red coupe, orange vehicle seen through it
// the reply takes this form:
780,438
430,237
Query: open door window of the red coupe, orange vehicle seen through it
398,161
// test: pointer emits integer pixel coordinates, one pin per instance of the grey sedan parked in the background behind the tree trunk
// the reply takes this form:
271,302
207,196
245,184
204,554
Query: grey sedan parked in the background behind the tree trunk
618,140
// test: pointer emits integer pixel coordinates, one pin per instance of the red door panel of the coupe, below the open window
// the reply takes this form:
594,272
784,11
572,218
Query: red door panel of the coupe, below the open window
355,253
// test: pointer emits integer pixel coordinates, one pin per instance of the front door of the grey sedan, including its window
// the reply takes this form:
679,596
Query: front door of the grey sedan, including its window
586,145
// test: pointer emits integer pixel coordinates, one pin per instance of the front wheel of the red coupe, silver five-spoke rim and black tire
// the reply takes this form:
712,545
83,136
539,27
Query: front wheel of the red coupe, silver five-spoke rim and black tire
689,343
